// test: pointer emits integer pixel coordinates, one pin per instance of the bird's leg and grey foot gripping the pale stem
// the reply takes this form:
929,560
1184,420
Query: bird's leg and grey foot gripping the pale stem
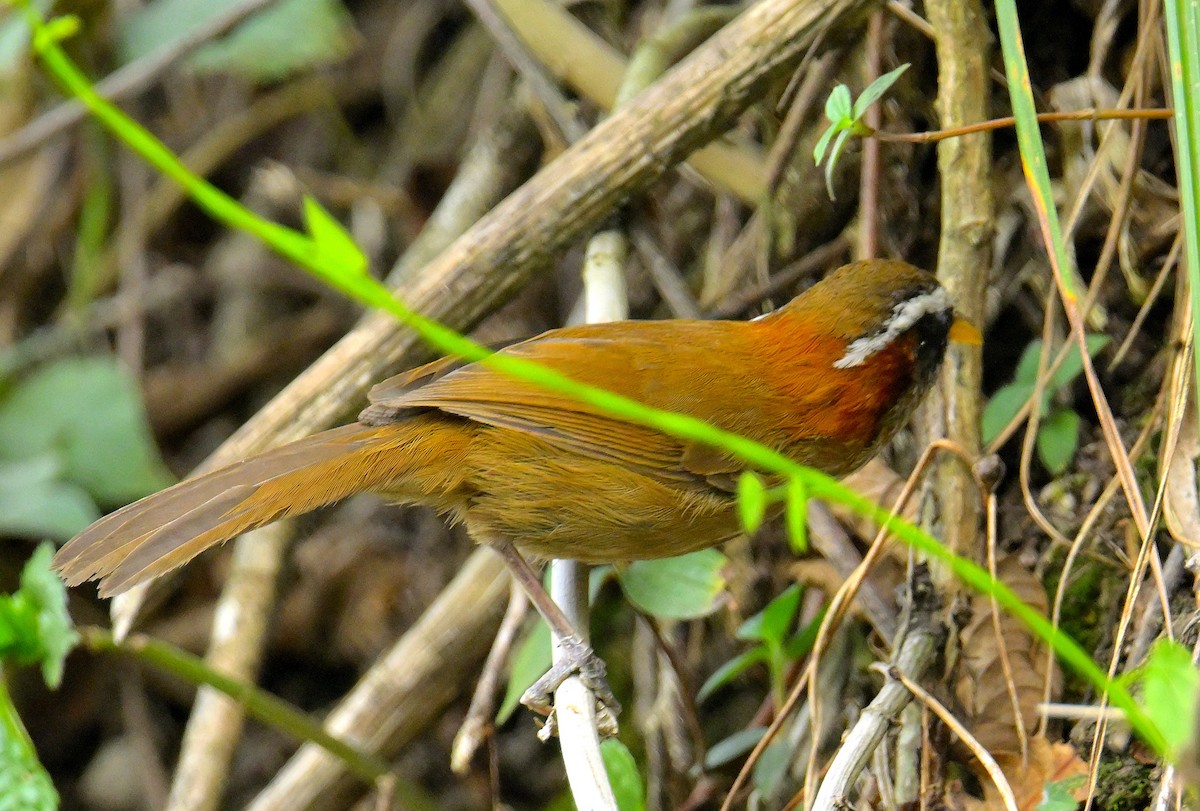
577,656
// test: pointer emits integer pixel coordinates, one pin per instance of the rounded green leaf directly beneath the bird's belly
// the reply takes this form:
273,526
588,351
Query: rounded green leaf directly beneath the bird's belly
685,587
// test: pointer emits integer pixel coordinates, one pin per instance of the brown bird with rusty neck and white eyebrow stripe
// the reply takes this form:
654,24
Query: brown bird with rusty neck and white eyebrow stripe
827,381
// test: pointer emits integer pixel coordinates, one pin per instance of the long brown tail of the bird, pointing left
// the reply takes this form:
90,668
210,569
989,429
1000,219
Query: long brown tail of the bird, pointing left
415,460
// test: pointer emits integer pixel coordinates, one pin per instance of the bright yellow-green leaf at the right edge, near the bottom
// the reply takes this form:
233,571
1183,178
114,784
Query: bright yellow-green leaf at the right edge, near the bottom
1169,686
